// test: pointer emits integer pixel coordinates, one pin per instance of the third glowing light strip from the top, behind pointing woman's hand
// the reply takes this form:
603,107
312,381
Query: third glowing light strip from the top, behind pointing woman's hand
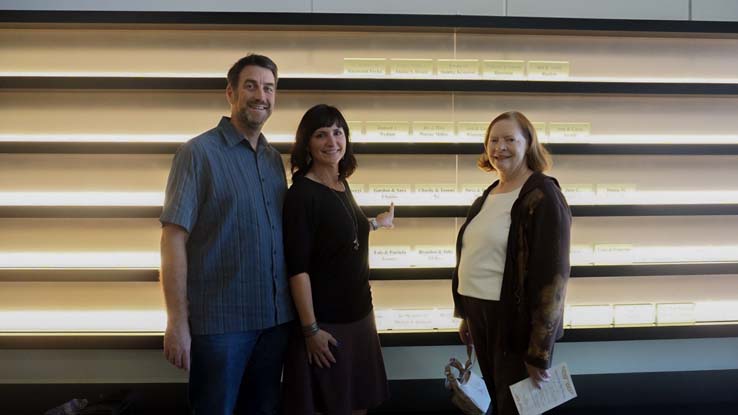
579,197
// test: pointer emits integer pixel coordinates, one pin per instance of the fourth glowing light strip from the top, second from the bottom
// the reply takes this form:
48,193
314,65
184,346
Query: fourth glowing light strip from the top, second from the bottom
581,255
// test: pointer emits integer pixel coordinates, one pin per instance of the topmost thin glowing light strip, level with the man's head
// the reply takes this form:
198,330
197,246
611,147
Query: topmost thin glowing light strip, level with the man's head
337,75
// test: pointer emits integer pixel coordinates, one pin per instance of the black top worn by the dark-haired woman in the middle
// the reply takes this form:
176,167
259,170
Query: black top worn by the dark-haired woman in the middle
319,233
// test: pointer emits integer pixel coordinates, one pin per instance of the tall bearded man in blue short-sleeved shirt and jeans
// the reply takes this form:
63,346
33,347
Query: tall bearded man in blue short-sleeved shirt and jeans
223,269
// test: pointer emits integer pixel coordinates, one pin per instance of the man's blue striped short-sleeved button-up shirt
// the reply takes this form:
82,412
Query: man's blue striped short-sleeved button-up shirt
229,198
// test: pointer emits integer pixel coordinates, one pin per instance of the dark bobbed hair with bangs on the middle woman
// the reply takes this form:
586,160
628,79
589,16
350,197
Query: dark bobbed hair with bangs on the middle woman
320,116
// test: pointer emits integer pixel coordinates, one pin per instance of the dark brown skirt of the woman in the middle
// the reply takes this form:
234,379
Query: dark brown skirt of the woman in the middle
356,381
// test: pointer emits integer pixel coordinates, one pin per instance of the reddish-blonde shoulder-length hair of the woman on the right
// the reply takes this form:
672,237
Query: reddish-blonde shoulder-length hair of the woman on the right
537,157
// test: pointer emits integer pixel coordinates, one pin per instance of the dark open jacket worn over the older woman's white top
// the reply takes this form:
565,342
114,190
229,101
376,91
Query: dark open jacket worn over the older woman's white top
536,269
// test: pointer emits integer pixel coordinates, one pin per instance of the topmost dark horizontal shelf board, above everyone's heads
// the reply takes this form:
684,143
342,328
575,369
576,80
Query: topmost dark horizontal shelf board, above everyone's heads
349,21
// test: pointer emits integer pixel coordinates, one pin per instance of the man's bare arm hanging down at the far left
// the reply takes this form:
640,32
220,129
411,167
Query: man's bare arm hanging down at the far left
177,337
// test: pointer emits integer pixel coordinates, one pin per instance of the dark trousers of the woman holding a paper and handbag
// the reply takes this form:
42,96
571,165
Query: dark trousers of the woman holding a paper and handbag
499,369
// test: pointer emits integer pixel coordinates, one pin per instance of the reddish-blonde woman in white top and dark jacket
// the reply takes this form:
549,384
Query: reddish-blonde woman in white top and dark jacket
512,265
